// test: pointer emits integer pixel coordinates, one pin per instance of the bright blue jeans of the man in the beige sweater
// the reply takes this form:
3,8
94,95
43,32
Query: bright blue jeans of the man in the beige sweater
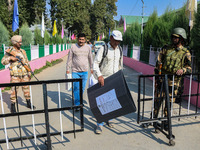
84,76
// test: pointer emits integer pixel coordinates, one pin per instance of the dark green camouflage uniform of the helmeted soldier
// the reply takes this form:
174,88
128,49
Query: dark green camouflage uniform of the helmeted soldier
172,60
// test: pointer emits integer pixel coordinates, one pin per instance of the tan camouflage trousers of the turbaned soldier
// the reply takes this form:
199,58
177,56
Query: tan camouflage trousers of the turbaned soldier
25,88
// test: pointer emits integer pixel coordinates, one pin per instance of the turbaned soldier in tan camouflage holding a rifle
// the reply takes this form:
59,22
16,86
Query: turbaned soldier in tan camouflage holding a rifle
18,72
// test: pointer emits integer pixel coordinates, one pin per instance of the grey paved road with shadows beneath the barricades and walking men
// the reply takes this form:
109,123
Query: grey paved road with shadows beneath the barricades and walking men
126,135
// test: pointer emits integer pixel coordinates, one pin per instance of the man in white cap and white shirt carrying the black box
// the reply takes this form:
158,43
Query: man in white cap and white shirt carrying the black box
112,62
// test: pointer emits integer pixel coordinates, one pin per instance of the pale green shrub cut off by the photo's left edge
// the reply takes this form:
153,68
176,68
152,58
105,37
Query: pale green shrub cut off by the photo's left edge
4,38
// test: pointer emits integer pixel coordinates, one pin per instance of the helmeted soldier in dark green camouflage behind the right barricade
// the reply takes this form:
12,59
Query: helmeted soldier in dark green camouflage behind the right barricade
175,59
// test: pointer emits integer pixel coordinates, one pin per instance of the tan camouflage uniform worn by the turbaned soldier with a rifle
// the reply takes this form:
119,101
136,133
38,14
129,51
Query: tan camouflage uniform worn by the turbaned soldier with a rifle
17,72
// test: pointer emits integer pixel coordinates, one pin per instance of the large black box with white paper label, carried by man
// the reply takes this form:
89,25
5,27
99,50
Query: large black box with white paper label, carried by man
112,100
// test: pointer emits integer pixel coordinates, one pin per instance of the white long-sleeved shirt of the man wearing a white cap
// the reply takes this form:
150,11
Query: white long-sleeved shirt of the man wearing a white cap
111,63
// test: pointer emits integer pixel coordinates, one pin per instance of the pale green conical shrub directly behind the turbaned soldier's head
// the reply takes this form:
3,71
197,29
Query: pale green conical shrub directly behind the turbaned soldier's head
27,36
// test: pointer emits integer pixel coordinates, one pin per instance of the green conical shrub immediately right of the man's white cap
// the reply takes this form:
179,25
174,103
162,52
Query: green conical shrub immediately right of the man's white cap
132,35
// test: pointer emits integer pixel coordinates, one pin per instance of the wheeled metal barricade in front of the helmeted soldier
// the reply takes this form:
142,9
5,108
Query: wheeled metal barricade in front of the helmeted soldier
157,108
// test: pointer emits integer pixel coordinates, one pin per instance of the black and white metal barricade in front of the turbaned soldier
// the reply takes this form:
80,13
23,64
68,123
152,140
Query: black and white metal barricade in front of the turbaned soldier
46,111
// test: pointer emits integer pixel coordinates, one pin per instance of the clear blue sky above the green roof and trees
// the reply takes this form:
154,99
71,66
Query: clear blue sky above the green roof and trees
134,7
